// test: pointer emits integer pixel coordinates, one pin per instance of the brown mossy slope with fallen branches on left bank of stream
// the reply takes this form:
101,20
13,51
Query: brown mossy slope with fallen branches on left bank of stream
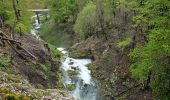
29,69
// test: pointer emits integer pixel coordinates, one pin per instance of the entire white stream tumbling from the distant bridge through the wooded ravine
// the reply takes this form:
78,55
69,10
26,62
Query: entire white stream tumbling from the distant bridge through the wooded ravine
76,76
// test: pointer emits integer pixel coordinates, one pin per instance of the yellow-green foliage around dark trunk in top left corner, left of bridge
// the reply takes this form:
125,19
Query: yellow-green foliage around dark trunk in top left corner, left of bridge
8,16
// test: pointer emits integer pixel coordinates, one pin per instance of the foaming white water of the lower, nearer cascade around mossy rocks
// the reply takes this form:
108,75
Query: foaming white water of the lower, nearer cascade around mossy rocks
85,86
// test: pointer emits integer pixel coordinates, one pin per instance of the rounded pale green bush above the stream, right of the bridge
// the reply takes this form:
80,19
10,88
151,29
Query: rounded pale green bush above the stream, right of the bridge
86,24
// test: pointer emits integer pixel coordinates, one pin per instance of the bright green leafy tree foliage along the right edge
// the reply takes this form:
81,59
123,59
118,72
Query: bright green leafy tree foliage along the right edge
153,57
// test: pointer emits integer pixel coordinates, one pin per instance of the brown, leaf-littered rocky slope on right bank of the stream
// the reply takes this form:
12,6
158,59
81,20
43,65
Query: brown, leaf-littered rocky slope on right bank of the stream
111,61
